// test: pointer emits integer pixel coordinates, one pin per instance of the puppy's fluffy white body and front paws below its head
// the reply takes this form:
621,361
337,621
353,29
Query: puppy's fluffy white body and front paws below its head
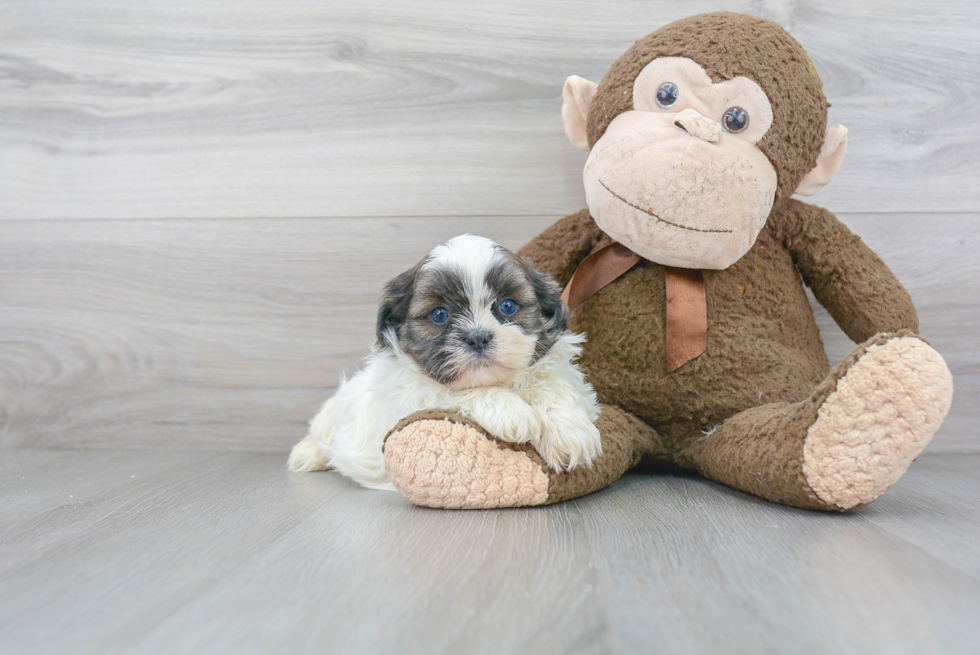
549,405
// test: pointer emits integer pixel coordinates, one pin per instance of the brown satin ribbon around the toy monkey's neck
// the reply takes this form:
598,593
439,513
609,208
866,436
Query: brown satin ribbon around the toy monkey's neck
687,308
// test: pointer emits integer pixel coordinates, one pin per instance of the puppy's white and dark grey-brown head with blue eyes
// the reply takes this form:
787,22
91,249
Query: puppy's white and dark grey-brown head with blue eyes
472,314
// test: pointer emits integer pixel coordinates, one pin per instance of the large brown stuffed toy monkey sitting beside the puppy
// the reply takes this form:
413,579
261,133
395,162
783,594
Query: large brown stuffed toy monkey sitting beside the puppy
686,274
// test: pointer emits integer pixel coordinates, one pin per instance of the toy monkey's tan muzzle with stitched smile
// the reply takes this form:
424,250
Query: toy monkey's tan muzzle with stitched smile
677,189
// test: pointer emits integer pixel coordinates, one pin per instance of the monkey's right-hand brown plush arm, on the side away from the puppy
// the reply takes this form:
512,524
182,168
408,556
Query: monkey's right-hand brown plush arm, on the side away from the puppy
846,276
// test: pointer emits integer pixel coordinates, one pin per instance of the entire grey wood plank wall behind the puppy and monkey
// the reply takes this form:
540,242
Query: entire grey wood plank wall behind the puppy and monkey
199,201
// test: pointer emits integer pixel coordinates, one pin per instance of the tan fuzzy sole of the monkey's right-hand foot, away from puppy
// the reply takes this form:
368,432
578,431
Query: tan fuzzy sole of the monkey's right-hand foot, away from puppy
883,412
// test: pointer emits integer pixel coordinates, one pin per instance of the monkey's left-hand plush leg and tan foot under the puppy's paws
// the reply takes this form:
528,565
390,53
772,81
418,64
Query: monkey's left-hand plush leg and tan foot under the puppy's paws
439,459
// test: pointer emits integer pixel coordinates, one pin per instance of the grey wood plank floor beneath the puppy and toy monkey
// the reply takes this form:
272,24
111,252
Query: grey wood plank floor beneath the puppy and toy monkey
181,552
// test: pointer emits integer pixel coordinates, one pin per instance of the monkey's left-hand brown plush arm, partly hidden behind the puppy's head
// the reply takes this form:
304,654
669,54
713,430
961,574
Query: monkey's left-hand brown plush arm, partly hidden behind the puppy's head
561,248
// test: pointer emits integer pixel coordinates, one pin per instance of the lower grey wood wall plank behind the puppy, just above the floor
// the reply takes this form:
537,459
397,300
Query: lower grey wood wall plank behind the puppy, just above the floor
230,333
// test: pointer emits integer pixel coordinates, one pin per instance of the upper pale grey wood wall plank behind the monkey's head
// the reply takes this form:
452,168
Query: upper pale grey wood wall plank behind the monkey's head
389,108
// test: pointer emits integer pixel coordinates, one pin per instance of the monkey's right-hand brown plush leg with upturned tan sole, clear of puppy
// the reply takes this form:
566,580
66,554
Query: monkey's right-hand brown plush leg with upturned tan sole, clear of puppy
846,444
